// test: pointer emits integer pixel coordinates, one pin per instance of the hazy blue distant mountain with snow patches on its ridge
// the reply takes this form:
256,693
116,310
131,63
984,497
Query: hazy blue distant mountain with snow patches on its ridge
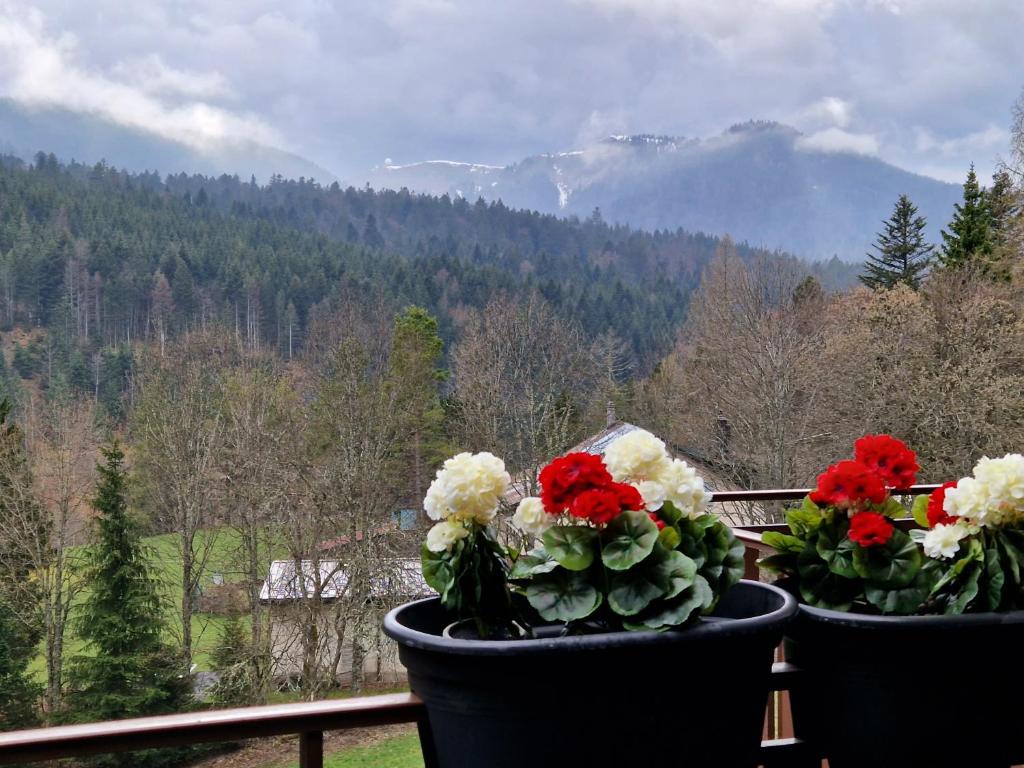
761,183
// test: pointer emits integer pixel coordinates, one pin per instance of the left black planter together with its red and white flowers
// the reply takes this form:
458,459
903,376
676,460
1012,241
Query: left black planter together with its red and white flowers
622,636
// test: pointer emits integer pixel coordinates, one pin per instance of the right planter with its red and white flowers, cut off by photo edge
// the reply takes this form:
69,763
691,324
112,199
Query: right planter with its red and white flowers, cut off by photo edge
903,634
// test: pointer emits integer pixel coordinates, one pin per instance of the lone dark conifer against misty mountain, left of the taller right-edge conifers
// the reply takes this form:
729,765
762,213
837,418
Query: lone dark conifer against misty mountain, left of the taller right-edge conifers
903,253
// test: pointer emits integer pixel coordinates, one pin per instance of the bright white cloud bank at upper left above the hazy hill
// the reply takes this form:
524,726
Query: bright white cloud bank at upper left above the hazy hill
41,70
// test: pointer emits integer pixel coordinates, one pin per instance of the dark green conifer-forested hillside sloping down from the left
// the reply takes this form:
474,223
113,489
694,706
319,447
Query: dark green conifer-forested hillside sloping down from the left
101,259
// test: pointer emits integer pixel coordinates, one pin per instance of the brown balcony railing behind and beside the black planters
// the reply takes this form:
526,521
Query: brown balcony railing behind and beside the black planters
779,750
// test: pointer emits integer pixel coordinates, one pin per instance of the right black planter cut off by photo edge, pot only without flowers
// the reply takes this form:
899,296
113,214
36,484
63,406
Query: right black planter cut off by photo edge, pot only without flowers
901,692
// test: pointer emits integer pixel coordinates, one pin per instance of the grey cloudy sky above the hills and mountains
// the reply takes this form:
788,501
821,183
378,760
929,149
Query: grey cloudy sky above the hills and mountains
926,84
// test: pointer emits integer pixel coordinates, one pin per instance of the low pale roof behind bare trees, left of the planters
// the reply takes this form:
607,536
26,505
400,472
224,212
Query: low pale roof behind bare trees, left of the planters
401,578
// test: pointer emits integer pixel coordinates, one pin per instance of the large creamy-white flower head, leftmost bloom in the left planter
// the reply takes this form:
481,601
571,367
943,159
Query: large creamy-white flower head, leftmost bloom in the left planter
470,487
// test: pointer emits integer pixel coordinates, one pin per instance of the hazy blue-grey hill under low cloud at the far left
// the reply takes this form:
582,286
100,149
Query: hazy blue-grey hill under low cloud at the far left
90,139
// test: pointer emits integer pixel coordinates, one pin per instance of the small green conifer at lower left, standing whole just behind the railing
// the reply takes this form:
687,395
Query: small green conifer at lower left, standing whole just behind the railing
127,670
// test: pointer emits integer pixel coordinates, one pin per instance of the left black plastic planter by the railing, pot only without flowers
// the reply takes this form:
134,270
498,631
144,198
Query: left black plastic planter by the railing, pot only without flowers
694,698
